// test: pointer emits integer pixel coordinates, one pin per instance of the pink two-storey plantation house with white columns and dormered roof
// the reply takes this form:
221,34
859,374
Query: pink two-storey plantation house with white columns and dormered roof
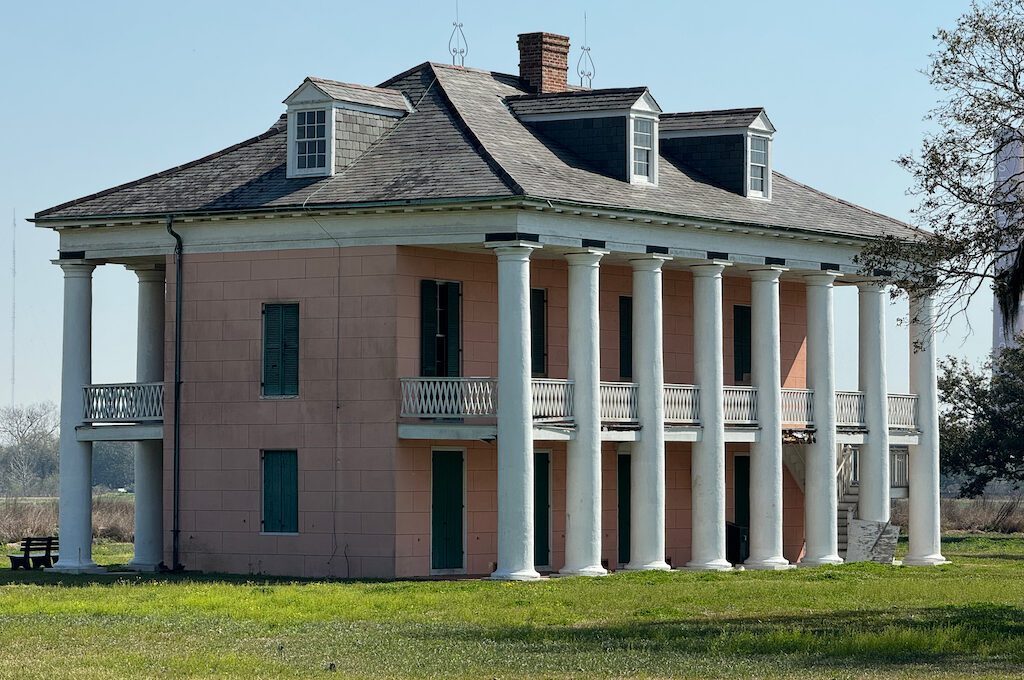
475,323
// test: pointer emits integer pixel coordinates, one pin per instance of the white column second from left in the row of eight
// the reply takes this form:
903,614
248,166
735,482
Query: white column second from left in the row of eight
583,472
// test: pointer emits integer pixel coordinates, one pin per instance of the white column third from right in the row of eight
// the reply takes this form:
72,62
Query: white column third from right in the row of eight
821,497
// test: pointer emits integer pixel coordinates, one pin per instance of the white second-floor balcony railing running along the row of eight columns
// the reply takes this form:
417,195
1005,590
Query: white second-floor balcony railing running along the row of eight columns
467,399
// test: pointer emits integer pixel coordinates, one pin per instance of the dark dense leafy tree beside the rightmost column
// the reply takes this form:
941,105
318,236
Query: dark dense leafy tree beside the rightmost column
983,421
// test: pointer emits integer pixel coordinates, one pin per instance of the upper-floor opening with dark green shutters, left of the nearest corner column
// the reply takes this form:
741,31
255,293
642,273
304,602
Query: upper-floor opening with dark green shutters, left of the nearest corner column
441,305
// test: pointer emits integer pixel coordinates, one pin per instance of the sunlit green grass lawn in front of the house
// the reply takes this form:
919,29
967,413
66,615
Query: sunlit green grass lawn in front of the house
847,622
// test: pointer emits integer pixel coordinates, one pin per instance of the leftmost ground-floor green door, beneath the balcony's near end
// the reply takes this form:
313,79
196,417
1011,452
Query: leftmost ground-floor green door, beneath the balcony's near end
446,509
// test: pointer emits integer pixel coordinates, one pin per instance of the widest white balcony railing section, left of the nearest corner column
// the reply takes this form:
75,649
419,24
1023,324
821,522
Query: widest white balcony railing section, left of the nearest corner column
449,398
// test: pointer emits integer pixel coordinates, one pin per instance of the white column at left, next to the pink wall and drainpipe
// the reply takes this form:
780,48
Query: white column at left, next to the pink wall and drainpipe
150,454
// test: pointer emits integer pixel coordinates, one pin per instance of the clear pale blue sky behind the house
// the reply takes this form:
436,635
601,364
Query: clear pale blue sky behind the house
100,94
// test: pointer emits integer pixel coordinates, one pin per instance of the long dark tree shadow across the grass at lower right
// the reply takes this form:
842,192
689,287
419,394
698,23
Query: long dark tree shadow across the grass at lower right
945,639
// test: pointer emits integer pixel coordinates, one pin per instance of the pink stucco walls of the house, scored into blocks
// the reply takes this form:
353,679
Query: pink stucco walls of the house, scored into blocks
364,494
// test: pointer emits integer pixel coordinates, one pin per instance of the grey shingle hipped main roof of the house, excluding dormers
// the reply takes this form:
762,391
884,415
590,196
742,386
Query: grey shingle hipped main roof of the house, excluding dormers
462,142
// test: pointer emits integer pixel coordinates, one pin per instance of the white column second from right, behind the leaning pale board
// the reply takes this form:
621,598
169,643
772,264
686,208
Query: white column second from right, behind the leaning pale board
874,458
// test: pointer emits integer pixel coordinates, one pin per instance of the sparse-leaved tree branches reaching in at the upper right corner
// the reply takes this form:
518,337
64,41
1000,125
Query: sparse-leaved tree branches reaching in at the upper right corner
979,72
